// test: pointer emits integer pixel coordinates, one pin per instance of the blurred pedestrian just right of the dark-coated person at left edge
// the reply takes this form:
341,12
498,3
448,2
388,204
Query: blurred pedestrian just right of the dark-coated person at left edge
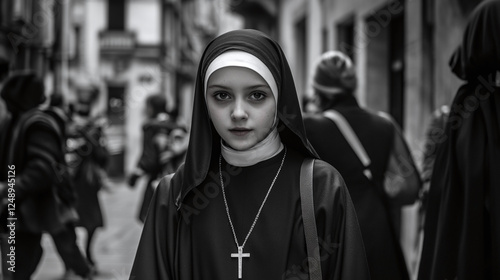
87,156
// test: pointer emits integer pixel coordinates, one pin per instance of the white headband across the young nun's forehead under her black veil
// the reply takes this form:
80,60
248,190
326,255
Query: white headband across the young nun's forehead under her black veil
246,60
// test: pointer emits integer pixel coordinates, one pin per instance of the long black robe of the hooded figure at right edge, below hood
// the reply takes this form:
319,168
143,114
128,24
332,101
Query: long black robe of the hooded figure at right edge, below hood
462,229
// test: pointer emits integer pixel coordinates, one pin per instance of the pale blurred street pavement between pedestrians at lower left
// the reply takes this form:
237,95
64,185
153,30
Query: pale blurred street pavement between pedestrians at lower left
115,244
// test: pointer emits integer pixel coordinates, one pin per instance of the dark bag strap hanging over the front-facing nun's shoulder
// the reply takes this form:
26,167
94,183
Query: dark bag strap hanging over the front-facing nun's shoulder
309,219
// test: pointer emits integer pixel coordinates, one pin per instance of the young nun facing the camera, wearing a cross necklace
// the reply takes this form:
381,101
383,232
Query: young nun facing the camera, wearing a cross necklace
233,210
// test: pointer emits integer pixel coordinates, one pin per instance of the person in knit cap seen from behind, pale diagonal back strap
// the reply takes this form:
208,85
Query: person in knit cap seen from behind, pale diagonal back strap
370,152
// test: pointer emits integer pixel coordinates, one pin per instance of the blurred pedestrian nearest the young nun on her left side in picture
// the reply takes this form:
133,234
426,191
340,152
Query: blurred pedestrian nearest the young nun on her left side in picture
163,149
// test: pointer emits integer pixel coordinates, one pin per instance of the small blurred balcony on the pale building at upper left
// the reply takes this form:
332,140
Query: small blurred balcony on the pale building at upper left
117,42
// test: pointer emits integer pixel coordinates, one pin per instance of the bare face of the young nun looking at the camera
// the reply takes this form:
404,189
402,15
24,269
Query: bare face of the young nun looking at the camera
241,106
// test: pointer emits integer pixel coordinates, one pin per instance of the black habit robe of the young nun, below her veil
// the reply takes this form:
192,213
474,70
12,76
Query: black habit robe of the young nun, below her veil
199,237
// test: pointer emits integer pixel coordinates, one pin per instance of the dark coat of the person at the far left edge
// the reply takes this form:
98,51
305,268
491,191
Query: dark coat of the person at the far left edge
33,143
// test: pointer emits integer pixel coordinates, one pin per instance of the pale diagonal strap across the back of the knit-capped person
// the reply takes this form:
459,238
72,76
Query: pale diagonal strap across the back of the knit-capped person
352,139
